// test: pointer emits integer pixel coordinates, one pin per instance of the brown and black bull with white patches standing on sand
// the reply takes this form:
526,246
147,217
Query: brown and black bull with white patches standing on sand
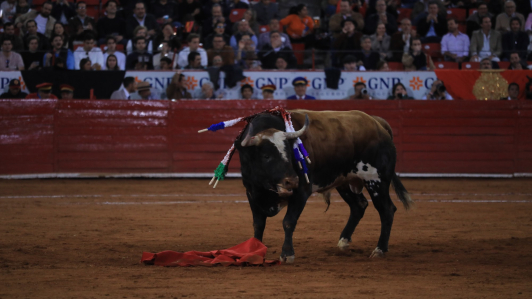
349,150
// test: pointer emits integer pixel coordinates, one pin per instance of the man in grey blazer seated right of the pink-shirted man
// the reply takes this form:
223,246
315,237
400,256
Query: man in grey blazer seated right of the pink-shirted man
478,49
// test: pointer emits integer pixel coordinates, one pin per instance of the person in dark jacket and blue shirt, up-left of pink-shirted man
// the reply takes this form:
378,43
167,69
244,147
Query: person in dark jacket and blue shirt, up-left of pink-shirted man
431,25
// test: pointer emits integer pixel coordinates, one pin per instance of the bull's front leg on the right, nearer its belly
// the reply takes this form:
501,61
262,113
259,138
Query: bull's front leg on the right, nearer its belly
294,210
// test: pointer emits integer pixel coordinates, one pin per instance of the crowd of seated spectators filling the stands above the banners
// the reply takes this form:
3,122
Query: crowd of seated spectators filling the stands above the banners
353,35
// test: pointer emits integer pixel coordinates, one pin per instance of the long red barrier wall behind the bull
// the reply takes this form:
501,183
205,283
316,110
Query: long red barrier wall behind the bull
106,136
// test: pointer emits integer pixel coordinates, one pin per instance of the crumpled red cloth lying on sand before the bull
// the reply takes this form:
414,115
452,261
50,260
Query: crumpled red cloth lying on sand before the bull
249,253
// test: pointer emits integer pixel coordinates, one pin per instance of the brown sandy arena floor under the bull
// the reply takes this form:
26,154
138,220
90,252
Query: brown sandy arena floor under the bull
84,239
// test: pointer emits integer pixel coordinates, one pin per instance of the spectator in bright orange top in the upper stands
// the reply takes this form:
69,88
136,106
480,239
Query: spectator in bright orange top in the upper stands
299,26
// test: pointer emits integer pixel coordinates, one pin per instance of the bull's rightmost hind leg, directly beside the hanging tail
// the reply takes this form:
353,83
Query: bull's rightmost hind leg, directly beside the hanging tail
379,192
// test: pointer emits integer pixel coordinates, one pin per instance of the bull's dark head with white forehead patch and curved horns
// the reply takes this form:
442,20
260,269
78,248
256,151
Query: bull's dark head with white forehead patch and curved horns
269,160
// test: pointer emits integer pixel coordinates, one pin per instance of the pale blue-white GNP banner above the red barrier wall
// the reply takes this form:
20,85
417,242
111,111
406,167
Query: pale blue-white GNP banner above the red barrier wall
379,84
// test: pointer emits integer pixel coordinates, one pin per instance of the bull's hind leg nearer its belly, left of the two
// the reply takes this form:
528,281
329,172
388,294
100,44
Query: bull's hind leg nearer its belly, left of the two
357,204
